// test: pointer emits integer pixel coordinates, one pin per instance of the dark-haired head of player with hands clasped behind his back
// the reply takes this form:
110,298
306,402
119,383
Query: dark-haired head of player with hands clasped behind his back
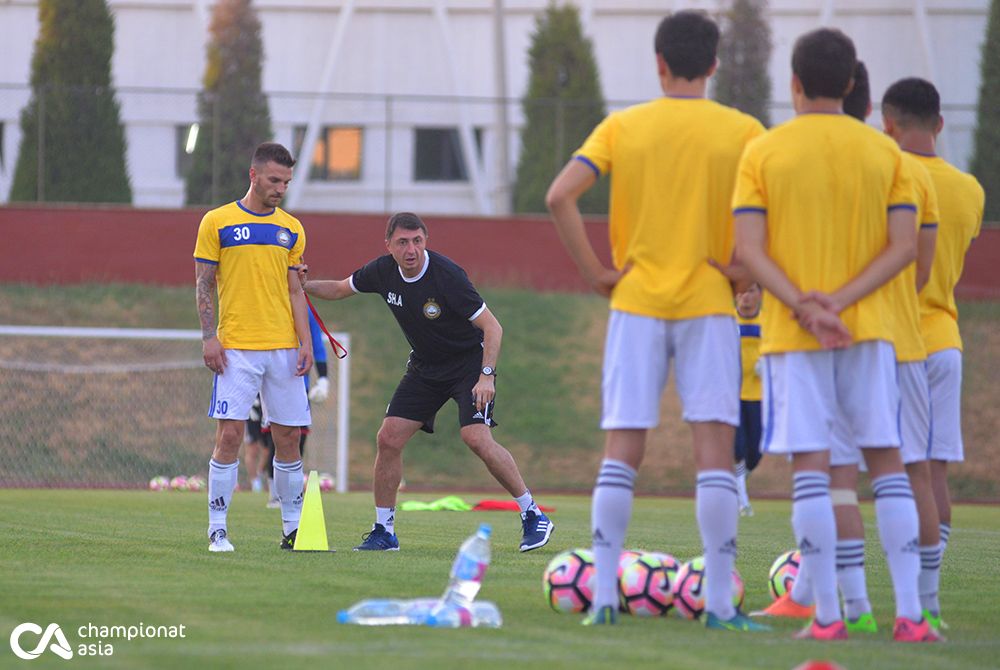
824,60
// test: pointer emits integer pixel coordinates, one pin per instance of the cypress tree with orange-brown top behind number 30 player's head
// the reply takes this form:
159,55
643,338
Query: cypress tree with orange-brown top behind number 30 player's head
232,108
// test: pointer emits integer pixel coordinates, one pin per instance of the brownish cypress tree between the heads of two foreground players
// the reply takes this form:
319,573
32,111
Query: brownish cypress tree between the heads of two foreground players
742,80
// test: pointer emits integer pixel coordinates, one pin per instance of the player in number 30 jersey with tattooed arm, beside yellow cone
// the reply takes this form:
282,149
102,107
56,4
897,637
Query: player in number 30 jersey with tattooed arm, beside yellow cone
248,250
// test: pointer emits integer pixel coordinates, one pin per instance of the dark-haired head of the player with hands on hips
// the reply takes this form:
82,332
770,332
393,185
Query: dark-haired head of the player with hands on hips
688,41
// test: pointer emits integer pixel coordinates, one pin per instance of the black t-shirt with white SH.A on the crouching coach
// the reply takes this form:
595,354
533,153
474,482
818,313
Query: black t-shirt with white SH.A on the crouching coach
434,309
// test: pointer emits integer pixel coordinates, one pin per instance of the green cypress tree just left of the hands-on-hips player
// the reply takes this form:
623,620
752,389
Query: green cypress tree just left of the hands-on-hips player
562,105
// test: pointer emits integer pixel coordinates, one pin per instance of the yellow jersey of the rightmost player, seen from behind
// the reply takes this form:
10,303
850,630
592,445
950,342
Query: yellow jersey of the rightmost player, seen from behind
961,200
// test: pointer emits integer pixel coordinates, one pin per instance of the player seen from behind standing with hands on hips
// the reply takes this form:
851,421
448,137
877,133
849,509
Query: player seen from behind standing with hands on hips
672,163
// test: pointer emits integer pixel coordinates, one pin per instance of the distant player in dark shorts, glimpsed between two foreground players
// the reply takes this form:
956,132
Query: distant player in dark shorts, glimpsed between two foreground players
747,445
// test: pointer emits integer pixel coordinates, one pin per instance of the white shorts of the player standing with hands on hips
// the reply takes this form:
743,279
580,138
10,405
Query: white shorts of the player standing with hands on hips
637,353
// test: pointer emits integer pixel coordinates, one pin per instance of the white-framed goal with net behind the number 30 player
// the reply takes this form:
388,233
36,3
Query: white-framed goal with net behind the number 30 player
115,407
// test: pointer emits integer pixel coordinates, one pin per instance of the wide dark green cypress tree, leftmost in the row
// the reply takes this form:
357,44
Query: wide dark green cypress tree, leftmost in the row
72,122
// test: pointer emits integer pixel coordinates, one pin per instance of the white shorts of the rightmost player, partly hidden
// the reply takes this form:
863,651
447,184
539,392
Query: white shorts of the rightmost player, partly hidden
944,378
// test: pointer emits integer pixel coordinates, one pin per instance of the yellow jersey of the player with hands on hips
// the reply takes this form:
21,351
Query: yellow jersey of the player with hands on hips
673,164
